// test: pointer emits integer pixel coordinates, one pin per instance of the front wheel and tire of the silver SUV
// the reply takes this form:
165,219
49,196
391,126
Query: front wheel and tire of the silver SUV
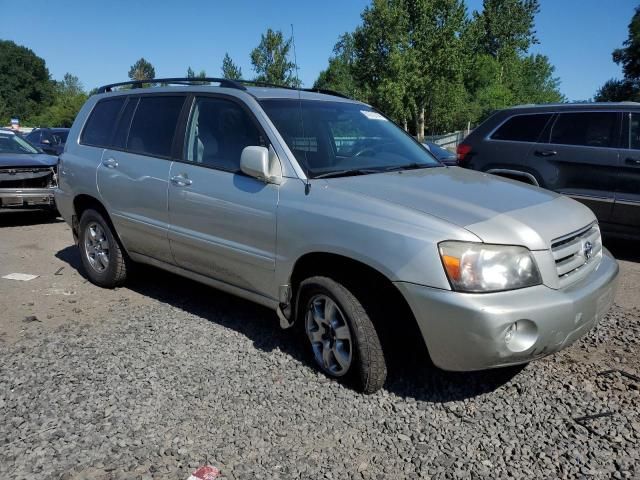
362,364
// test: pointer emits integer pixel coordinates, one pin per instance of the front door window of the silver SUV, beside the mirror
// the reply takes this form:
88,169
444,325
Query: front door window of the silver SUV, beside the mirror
217,132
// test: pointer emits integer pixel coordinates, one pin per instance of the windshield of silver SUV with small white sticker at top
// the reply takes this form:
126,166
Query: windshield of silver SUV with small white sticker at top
344,138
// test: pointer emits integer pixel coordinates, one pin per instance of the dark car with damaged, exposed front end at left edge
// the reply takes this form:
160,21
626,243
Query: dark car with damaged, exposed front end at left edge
28,176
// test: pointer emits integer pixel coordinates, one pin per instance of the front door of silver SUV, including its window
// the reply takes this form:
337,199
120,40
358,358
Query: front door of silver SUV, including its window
222,222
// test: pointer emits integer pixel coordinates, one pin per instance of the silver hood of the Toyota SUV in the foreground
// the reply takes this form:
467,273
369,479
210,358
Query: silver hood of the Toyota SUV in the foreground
495,209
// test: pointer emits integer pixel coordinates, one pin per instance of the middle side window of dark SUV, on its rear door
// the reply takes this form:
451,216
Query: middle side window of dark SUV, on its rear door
591,129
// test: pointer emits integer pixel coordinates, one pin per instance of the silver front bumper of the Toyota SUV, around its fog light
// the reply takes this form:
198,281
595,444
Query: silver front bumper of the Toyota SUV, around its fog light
466,331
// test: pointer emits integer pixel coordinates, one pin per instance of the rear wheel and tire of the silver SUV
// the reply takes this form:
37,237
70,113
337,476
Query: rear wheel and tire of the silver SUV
102,256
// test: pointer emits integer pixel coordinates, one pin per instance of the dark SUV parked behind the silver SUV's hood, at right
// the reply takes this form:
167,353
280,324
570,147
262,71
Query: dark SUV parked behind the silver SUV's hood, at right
590,152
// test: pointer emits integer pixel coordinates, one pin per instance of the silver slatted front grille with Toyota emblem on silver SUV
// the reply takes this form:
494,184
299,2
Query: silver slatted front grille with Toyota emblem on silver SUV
573,255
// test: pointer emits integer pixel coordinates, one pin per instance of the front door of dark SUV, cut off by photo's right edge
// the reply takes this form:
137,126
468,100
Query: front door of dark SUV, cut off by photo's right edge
626,211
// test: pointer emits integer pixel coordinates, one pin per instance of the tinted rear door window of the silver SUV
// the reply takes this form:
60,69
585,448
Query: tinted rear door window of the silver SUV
154,124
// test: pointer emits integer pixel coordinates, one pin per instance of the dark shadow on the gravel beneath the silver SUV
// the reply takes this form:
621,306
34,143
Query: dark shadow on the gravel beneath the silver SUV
411,374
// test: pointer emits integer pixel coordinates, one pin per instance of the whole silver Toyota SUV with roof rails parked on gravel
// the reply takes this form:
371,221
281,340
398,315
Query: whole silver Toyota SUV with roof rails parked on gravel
322,209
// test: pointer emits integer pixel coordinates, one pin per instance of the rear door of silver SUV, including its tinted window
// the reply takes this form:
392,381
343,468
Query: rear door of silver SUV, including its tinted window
133,177
